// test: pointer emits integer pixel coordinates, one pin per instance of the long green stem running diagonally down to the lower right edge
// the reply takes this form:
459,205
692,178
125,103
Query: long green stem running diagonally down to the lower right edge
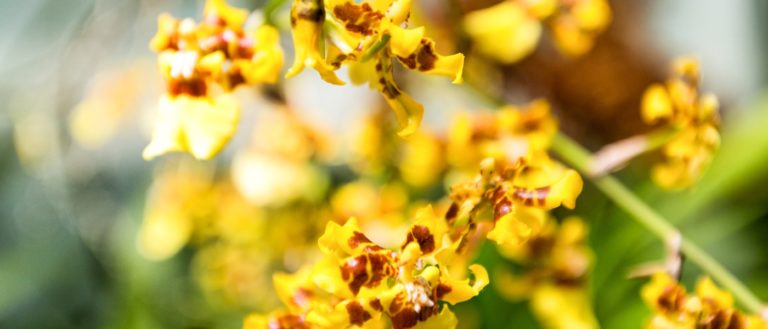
574,154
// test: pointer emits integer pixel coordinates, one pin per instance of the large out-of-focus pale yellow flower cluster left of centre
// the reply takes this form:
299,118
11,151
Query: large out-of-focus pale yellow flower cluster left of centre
244,223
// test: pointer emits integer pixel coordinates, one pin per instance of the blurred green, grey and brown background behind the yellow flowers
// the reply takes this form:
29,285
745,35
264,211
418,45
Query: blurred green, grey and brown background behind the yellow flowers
79,91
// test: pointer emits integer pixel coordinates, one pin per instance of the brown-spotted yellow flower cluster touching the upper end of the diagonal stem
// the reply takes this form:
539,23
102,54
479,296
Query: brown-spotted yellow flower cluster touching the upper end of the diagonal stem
517,179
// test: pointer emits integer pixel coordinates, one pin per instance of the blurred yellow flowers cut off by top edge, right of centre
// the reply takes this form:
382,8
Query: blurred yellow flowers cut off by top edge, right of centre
510,30
